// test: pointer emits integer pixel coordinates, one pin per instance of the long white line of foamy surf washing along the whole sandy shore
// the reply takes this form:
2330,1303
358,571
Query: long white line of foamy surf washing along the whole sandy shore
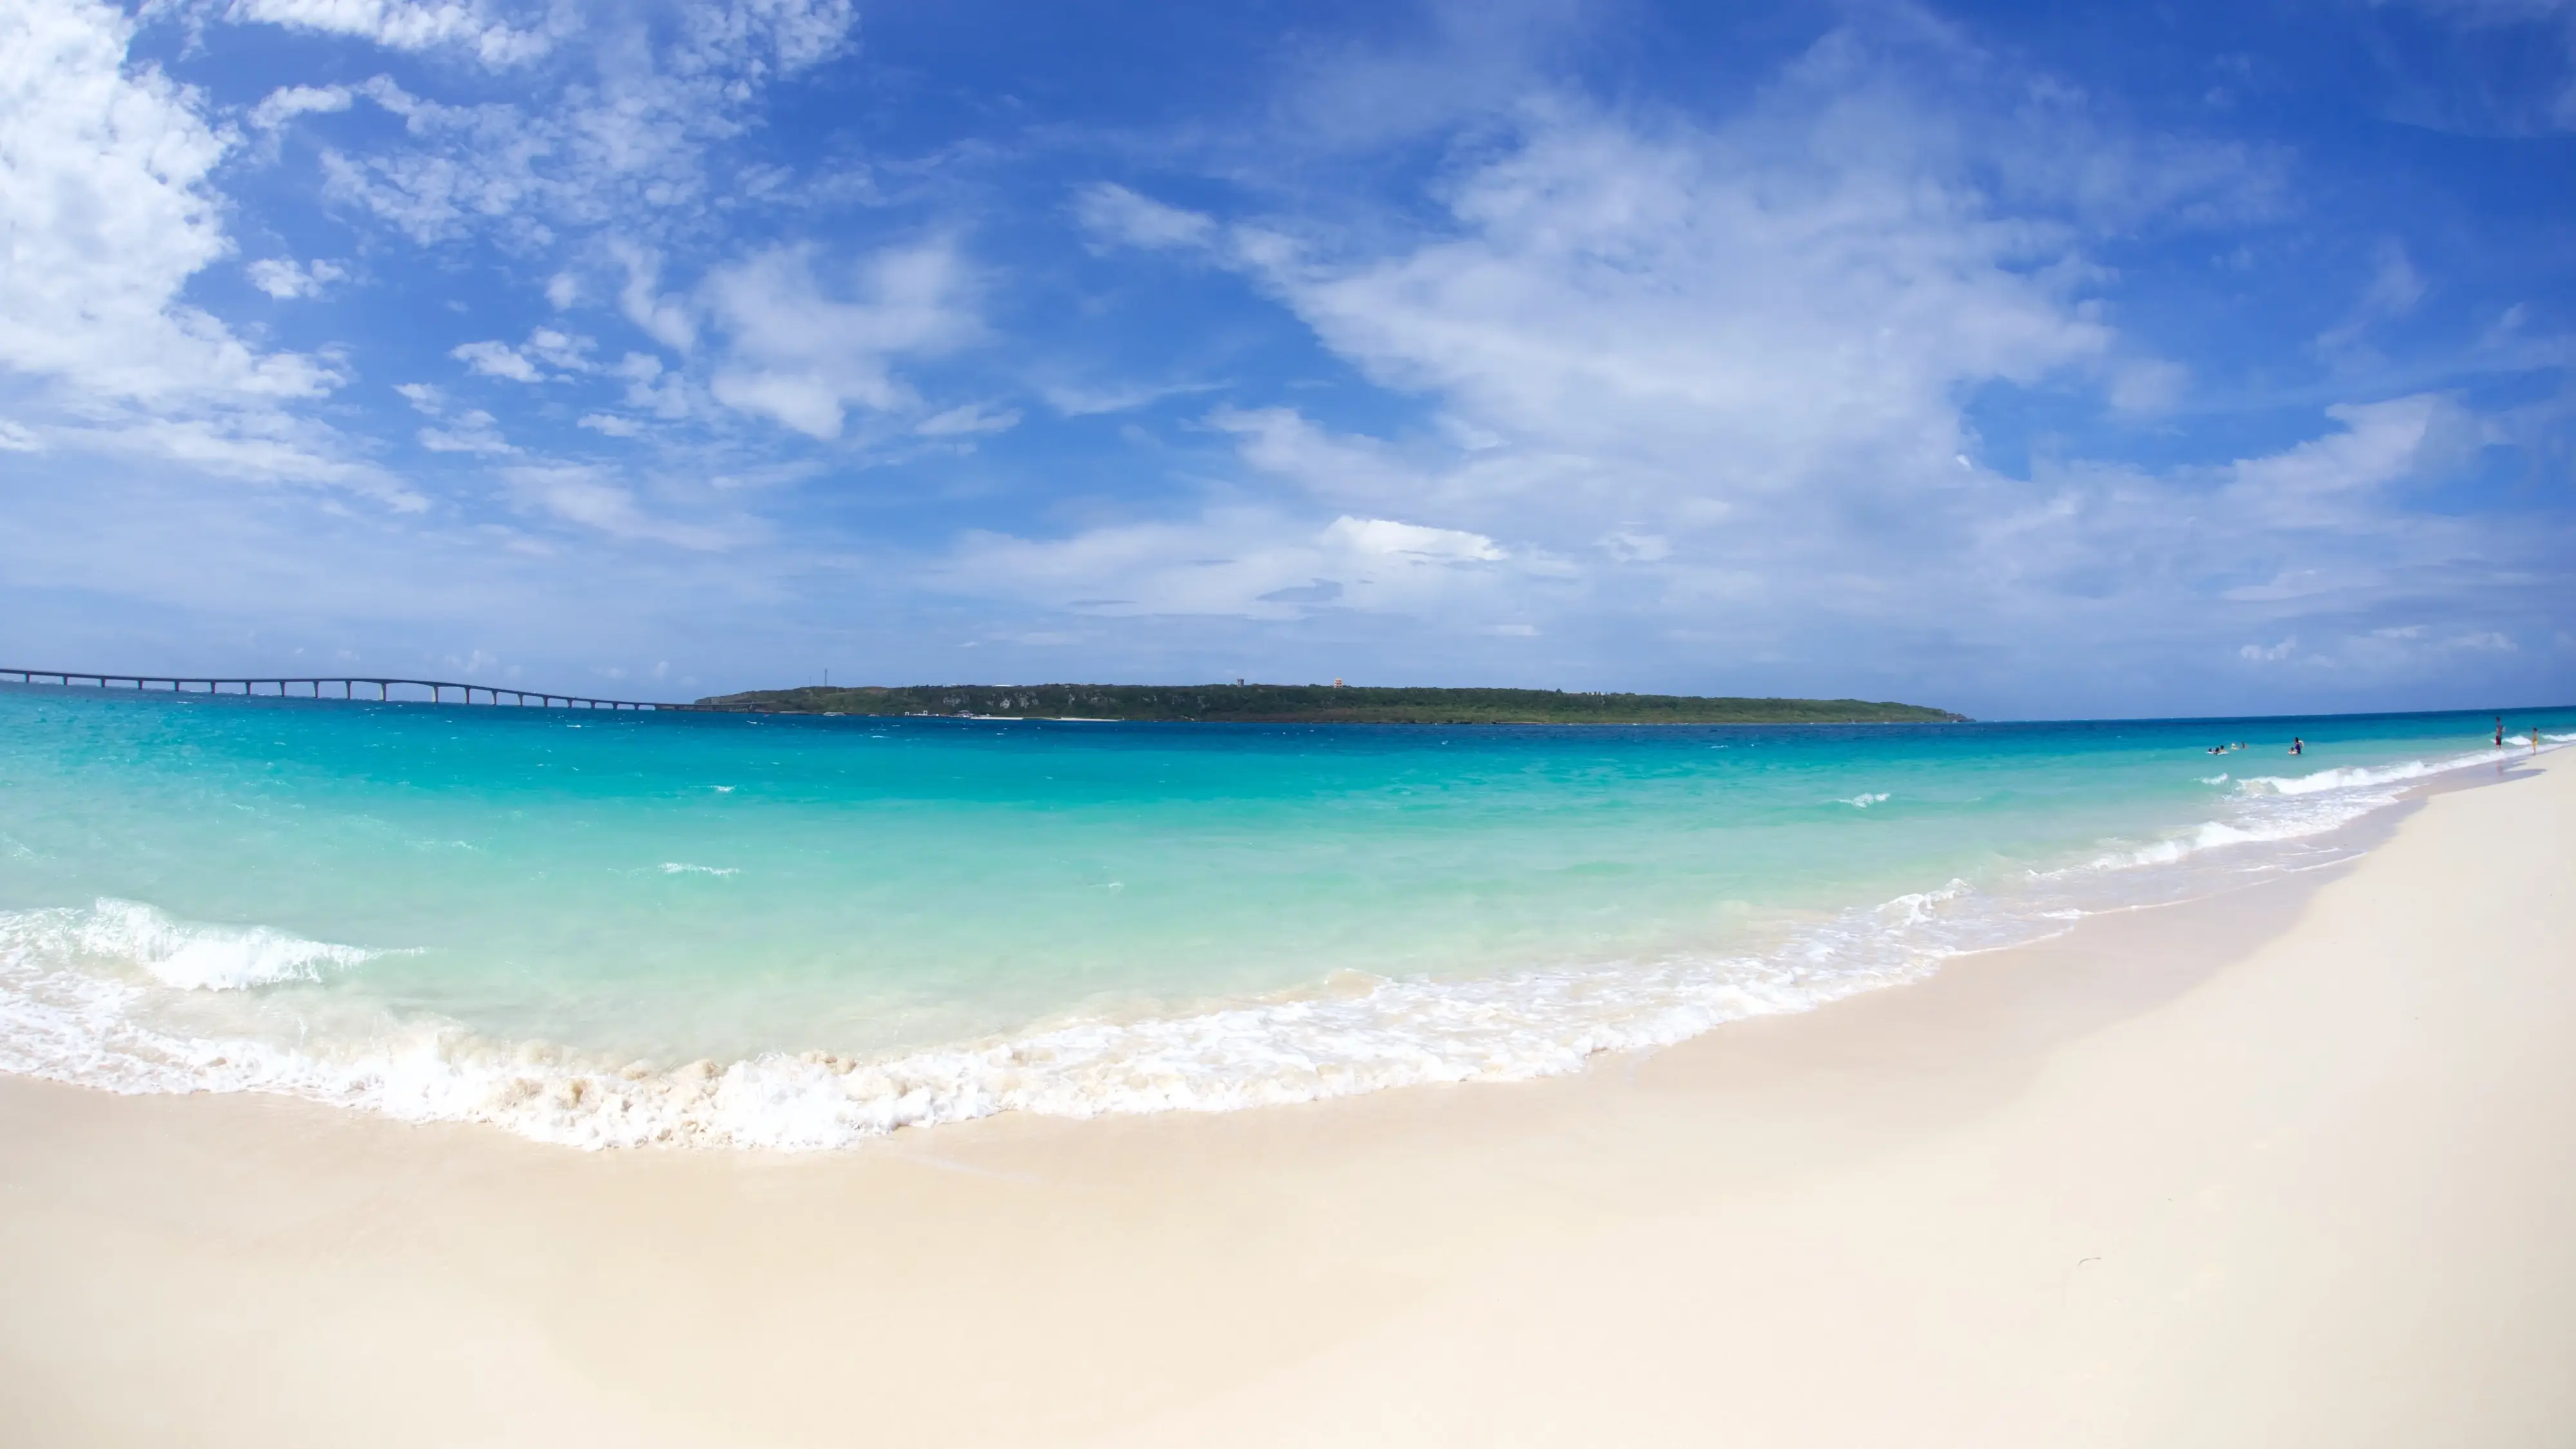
1318,1043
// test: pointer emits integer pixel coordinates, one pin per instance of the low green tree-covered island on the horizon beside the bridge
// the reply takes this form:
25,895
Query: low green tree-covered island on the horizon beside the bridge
1318,705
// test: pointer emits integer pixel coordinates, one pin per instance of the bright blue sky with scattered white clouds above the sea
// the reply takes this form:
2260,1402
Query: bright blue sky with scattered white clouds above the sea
2031,362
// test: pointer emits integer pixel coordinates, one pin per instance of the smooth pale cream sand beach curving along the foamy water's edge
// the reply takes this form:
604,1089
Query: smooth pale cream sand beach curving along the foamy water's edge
2294,1167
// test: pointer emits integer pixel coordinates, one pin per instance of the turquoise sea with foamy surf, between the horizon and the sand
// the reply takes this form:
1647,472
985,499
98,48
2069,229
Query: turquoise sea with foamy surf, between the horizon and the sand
774,932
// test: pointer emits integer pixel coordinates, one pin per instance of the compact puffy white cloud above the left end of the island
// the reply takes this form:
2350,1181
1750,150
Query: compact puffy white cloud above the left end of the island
800,355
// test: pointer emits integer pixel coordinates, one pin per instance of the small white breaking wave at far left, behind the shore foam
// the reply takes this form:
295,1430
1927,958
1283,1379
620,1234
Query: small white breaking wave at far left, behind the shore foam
174,953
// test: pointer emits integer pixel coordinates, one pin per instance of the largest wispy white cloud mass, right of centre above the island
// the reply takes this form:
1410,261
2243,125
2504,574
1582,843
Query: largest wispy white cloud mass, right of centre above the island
1704,375
